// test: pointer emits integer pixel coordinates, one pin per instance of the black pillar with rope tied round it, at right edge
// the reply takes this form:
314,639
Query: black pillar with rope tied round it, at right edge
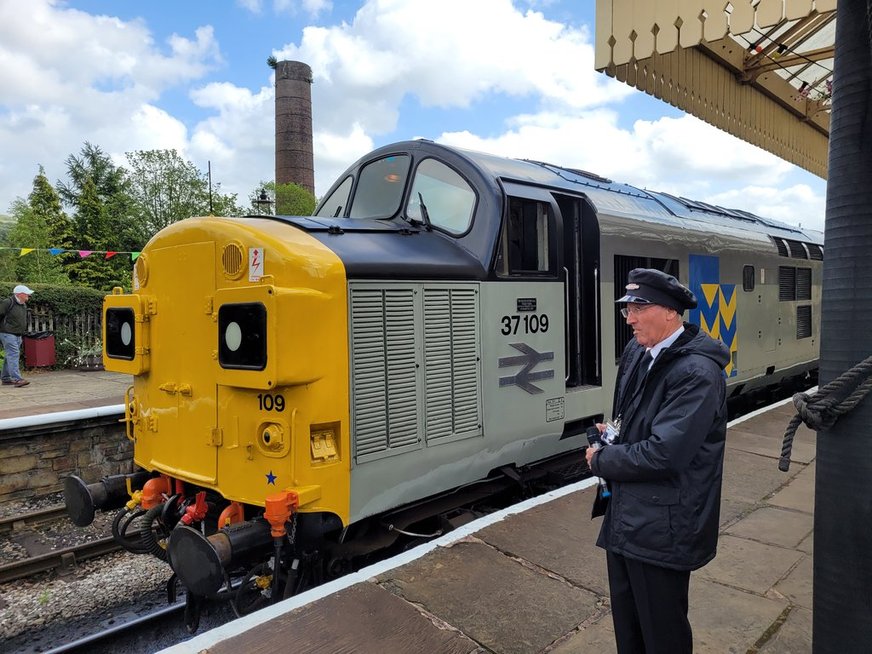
842,619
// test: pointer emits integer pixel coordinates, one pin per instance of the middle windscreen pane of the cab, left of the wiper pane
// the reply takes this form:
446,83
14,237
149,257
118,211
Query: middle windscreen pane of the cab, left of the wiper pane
380,188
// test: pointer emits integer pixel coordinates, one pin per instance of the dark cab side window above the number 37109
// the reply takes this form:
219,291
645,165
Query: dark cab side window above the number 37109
525,242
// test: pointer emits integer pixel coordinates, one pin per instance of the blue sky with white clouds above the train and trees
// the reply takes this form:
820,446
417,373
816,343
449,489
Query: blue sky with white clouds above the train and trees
510,77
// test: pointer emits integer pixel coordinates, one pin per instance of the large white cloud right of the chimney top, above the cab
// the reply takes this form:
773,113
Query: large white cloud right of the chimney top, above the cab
394,49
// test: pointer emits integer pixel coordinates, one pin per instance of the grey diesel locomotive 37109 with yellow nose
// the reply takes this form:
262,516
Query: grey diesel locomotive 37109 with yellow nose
306,389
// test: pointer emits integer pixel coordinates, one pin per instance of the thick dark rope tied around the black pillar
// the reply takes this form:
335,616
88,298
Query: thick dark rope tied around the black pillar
823,408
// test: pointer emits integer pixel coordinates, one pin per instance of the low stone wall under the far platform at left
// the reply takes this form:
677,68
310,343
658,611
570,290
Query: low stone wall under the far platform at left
34,461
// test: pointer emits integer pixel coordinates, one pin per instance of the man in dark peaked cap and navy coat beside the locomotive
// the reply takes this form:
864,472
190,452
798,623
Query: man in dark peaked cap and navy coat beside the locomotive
664,467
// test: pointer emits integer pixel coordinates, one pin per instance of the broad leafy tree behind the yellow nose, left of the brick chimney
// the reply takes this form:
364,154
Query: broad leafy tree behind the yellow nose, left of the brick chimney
168,188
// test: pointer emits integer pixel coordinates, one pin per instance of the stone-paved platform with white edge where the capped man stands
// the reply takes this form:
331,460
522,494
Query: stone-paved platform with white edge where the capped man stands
530,579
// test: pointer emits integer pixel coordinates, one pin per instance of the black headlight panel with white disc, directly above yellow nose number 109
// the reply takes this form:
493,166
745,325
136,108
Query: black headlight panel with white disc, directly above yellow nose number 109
242,337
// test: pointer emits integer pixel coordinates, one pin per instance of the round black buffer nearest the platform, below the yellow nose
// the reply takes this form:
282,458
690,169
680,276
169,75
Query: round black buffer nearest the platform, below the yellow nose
200,561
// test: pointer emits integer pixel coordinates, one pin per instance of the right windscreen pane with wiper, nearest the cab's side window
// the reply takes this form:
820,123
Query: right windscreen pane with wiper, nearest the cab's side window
446,198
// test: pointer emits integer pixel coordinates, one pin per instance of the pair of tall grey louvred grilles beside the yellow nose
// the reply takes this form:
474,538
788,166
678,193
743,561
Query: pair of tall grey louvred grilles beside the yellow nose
415,367
